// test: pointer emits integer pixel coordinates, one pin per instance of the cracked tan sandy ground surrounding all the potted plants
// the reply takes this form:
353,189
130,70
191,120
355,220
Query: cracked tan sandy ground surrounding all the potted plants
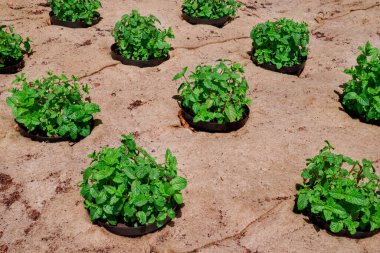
241,185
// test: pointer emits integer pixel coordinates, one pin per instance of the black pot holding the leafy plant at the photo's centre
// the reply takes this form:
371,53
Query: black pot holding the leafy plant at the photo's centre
214,127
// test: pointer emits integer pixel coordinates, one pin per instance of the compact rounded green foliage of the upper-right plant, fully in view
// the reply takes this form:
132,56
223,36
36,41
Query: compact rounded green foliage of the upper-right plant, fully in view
282,43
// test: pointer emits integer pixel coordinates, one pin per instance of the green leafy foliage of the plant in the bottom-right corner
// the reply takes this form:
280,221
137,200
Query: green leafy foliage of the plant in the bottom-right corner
342,192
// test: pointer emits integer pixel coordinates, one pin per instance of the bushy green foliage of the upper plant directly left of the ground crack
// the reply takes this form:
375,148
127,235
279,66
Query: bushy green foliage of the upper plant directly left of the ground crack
138,38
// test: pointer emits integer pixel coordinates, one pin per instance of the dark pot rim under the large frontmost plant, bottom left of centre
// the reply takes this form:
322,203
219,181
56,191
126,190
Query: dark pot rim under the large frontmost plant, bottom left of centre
124,230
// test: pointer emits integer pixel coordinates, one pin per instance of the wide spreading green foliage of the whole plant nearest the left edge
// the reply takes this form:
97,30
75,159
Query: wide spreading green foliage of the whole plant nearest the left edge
52,105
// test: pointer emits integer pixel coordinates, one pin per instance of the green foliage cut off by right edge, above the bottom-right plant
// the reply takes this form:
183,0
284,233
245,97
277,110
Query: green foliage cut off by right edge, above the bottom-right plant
361,94
